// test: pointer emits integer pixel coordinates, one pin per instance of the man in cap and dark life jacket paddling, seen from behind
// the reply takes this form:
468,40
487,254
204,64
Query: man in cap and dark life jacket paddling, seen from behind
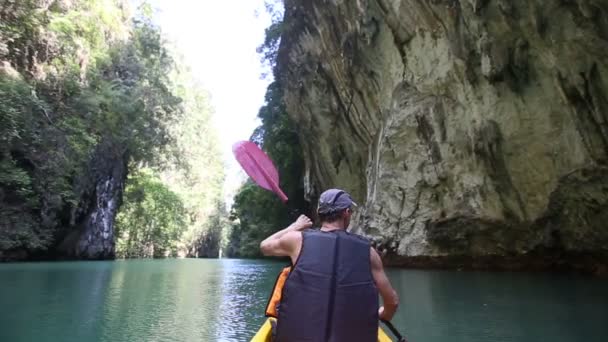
331,293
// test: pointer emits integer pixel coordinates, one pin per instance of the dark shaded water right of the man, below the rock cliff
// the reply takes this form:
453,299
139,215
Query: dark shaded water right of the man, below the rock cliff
471,306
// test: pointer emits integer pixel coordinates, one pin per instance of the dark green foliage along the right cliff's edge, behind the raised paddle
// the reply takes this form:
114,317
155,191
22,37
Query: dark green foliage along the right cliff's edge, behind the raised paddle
257,213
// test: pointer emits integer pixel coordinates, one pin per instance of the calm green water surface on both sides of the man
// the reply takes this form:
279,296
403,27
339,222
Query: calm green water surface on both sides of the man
222,300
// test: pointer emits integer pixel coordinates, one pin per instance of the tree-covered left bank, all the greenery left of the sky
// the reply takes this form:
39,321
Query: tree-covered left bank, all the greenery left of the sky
83,85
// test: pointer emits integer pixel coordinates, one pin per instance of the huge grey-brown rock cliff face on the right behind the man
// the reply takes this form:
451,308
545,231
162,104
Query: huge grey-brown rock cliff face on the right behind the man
472,130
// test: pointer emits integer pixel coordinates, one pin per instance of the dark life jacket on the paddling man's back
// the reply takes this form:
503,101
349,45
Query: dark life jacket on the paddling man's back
330,295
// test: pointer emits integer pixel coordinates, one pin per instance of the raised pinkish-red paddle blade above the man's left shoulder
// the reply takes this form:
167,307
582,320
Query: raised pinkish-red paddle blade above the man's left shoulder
258,166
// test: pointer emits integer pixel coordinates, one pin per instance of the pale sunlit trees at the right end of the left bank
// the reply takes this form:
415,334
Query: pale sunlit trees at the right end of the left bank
198,176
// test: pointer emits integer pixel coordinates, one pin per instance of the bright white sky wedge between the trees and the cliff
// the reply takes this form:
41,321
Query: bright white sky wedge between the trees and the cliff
218,39
